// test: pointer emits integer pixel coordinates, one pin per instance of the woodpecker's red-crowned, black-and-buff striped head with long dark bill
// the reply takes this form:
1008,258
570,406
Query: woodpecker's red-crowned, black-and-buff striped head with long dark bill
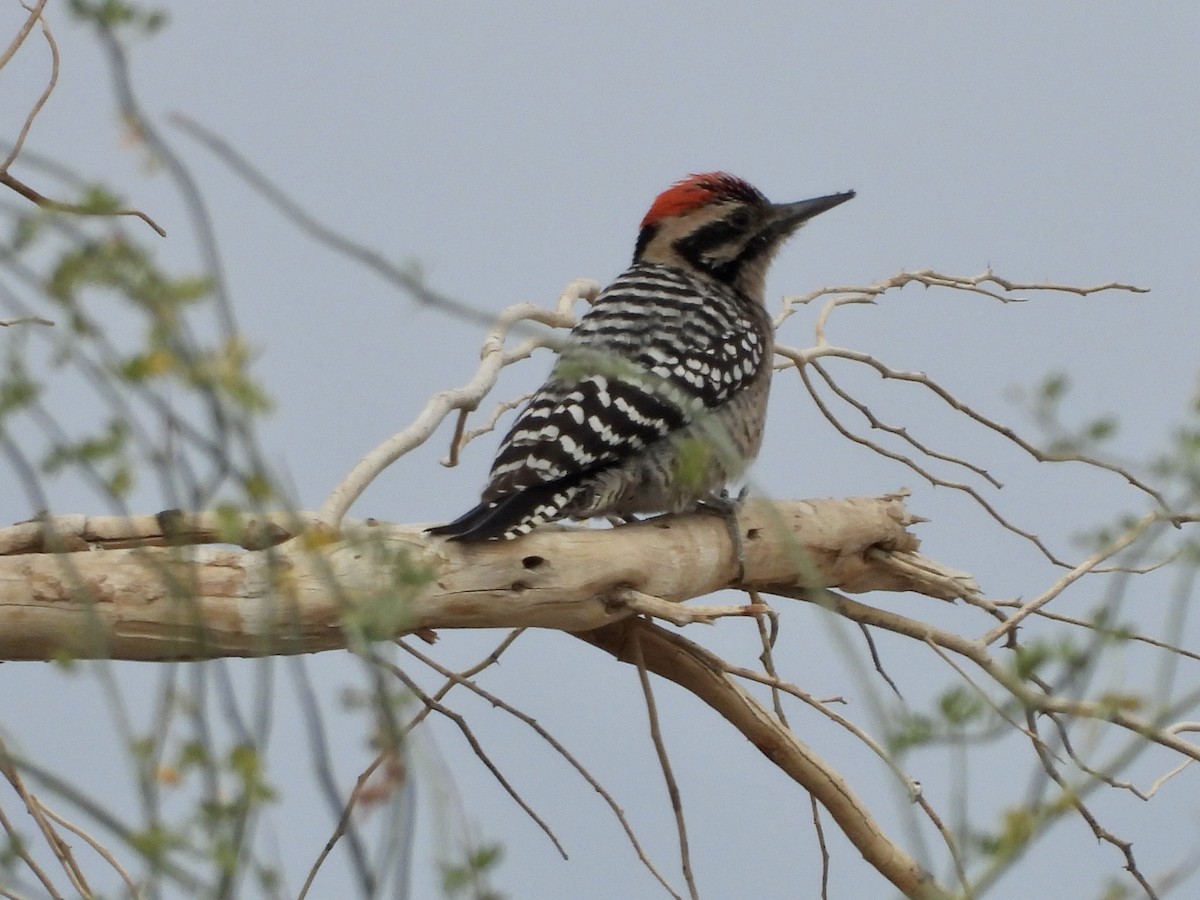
724,227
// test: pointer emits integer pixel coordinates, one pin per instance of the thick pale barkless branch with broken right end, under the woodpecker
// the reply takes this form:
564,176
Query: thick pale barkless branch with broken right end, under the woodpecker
161,603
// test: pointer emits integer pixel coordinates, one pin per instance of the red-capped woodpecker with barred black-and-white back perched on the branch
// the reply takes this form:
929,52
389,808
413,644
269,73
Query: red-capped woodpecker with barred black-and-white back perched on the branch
658,398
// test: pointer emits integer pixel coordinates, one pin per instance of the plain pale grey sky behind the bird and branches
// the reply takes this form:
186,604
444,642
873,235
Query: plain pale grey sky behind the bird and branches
511,148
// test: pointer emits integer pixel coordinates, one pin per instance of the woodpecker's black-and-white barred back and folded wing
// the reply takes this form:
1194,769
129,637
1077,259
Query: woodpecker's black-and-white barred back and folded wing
625,381
